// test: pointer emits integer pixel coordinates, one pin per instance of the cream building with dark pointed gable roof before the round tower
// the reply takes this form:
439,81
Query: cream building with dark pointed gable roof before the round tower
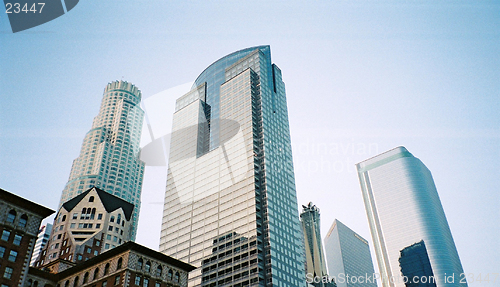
89,224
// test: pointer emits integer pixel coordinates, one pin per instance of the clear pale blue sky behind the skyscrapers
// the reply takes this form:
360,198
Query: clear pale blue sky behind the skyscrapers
362,77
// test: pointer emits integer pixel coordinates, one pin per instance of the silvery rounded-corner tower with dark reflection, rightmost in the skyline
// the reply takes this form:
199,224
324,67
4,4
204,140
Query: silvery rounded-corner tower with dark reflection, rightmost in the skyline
403,208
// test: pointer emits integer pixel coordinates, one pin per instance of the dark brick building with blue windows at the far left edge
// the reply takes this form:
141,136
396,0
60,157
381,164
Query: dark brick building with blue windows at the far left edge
19,224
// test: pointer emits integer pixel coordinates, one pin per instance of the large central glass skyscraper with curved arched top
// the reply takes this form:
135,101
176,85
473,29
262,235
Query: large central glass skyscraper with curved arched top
230,201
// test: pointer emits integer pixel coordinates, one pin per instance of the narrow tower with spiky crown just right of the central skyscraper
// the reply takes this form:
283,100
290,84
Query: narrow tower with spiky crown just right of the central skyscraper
315,258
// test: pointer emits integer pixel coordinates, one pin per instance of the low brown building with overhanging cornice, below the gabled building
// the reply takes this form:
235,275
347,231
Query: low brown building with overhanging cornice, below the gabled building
129,264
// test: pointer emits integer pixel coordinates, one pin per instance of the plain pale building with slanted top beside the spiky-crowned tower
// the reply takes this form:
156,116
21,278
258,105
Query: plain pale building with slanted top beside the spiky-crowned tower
348,257
